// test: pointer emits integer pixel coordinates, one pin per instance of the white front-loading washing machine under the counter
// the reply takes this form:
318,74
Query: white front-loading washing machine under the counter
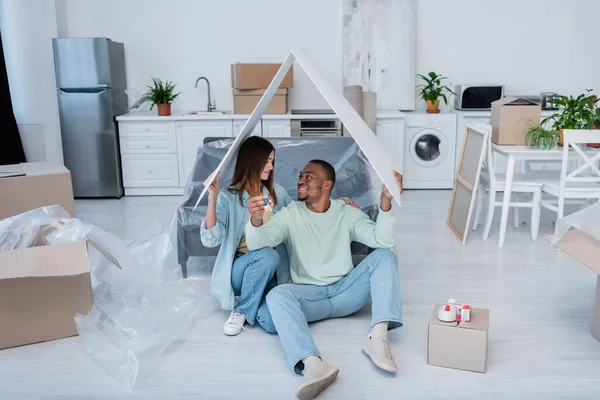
430,150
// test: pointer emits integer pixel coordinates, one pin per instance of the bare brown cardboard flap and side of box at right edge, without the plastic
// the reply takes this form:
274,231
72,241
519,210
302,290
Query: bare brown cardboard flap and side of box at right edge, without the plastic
585,248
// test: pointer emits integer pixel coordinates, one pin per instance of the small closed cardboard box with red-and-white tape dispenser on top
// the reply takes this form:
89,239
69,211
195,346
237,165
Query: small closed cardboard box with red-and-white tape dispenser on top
460,345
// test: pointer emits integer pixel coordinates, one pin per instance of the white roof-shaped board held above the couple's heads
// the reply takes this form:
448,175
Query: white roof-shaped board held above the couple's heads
369,143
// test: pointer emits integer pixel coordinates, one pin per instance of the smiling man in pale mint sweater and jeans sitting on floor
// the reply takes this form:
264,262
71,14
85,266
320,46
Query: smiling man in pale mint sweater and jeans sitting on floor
317,232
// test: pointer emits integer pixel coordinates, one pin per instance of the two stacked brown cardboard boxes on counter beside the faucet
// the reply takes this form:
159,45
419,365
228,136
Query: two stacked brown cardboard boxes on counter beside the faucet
249,83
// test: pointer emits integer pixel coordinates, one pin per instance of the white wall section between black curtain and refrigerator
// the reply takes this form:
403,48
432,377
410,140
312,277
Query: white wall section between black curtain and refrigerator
28,27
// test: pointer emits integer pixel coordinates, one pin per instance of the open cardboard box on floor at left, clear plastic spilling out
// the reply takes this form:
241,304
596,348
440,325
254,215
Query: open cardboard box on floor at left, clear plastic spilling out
42,288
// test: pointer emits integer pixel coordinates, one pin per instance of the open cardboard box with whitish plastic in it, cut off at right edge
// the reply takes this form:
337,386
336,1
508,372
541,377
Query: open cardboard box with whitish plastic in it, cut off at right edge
583,244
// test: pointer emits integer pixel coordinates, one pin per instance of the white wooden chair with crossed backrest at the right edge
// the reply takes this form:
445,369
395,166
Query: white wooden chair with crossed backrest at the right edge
574,187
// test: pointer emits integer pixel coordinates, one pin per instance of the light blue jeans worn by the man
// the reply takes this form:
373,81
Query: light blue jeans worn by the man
293,306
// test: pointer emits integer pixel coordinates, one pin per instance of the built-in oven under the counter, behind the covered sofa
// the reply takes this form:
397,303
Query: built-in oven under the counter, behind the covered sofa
316,123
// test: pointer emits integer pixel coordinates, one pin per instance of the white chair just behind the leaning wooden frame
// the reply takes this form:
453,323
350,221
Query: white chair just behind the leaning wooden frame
495,183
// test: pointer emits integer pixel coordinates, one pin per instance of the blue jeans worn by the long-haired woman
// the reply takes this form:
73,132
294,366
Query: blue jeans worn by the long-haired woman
251,273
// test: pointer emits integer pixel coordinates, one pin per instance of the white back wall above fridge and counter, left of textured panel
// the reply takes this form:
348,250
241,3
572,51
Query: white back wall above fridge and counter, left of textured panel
185,39
